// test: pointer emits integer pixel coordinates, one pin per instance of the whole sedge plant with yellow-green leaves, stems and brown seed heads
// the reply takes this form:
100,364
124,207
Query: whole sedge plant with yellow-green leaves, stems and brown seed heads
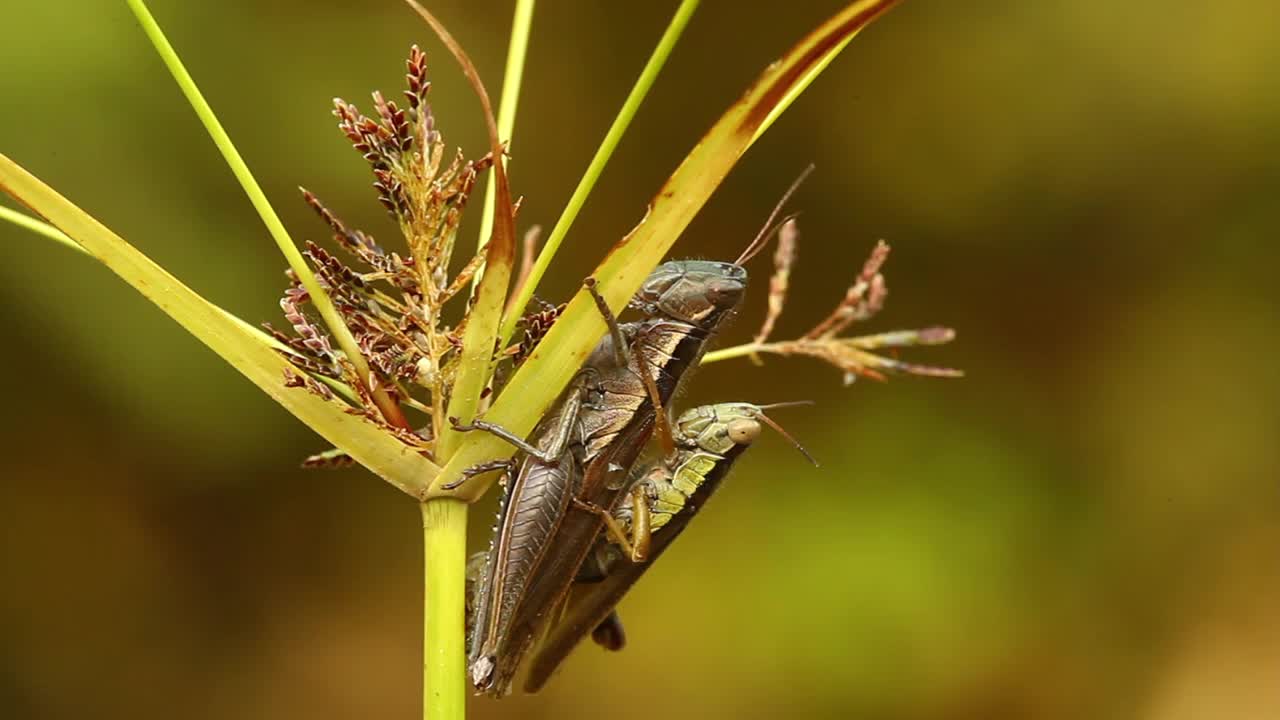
383,344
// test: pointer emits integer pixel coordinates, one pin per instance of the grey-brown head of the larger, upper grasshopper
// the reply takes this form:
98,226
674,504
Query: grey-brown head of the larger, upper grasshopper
701,293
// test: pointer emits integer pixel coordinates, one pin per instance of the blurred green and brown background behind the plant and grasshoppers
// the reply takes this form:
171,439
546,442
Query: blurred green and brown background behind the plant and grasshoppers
1085,527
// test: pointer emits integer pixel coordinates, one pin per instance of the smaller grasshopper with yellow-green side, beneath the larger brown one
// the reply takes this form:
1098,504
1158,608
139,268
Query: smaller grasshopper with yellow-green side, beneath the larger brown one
665,499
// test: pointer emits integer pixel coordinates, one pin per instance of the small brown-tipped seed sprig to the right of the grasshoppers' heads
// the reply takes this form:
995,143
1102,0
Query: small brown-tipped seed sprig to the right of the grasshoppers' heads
854,357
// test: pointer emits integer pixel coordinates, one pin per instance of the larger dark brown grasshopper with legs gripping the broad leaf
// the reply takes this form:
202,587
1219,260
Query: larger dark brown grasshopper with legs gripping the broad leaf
575,470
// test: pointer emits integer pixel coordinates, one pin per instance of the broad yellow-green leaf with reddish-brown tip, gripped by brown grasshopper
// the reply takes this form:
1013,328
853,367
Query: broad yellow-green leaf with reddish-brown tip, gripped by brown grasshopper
554,363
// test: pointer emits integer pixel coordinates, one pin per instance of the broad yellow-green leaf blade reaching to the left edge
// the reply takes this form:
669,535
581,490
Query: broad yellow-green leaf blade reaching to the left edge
248,352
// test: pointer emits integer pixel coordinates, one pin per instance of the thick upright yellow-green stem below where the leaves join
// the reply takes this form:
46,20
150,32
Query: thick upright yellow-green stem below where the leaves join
445,544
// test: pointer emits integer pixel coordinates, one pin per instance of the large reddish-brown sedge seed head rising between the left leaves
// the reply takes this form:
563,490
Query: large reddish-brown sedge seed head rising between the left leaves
394,304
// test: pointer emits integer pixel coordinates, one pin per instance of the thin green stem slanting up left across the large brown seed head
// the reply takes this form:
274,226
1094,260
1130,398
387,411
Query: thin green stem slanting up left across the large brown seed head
232,157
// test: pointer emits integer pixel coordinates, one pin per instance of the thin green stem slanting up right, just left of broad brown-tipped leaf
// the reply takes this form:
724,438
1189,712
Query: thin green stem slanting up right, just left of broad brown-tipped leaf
639,92
